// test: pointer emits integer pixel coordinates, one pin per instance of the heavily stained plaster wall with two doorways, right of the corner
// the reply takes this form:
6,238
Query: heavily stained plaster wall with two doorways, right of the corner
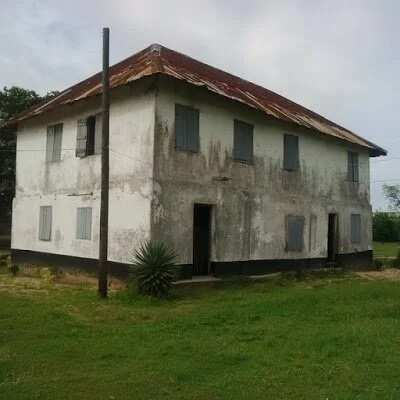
251,201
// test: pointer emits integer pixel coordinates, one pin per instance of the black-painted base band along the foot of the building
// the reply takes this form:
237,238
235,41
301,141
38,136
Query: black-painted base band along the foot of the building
219,269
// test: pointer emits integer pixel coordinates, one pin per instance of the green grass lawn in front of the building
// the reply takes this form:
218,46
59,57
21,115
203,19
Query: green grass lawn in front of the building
329,338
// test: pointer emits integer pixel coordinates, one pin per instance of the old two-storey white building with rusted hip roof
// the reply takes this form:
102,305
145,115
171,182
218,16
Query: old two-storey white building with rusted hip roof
235,177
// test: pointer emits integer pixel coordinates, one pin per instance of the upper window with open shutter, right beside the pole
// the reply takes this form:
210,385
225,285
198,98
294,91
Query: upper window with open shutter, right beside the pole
89,135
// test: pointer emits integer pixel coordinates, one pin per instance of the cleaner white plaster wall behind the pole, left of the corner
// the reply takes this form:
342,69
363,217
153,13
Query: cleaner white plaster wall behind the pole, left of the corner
75,182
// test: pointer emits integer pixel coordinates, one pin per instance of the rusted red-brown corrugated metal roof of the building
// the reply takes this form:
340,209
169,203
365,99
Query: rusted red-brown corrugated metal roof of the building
157,59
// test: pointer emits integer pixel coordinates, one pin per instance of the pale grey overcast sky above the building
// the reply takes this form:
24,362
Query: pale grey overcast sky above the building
339,58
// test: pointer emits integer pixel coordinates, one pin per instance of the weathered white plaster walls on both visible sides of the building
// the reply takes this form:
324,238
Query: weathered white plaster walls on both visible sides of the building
153,187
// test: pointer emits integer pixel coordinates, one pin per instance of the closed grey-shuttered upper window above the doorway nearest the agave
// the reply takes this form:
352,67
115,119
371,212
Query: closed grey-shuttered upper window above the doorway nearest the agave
186,128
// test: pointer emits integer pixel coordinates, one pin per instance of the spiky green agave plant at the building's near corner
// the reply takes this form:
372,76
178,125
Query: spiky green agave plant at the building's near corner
154,268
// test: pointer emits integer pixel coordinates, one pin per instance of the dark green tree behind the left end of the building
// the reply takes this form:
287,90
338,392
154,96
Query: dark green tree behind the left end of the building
13,101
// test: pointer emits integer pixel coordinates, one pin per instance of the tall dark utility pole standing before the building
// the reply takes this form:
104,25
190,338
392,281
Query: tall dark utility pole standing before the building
105,168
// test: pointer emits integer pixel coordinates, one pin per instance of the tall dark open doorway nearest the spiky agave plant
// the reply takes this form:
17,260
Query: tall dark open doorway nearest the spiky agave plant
201,239
